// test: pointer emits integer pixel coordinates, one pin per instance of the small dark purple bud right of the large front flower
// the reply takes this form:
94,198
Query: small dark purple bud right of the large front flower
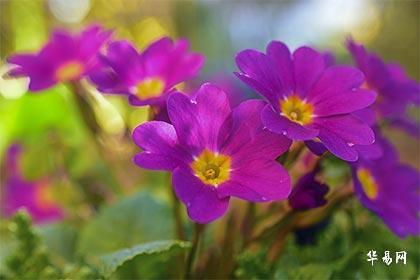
308,193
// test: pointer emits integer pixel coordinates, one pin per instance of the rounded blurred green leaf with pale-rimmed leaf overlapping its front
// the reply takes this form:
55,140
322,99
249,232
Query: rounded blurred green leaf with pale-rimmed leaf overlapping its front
124,236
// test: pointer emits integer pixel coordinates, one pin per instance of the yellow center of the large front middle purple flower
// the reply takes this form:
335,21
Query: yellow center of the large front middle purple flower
212,168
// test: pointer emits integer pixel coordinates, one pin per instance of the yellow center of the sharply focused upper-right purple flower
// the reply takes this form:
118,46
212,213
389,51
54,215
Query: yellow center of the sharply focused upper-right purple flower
297,110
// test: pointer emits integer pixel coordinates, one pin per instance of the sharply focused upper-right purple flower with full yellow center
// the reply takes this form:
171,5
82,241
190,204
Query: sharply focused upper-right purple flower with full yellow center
307,99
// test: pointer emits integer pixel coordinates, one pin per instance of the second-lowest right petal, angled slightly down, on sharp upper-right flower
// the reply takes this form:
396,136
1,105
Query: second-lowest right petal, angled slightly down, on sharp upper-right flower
349,128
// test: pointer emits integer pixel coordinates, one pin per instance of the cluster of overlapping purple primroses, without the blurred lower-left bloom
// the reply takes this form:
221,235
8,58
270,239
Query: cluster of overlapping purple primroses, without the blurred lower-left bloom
216,151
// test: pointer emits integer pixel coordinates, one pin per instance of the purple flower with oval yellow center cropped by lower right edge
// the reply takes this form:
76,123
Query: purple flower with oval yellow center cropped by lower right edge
389,189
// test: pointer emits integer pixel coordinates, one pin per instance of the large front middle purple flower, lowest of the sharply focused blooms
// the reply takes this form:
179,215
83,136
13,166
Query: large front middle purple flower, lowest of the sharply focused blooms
214,152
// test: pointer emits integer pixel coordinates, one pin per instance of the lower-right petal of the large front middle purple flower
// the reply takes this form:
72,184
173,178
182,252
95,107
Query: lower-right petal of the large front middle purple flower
262,181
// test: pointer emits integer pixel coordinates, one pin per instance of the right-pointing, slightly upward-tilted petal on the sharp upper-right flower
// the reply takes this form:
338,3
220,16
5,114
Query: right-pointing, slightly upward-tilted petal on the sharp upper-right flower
343,103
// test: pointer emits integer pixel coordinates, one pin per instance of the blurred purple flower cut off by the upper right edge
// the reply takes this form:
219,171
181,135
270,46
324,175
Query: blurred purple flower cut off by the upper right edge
396,91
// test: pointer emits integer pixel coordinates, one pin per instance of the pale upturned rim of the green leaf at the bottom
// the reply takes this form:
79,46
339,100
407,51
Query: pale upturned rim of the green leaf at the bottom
111,262
